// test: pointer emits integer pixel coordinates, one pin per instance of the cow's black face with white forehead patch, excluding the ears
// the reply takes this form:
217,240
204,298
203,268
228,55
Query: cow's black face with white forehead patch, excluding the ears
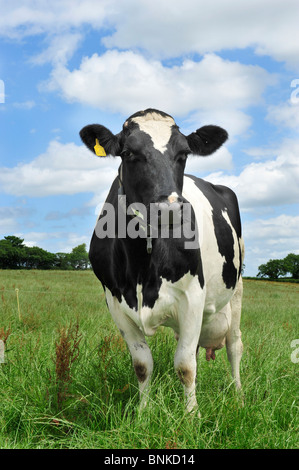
153,158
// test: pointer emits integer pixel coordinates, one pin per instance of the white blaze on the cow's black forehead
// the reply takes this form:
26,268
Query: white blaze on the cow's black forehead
157,127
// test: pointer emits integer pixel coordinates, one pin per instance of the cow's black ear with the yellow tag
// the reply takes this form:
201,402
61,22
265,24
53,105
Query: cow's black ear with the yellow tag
100,140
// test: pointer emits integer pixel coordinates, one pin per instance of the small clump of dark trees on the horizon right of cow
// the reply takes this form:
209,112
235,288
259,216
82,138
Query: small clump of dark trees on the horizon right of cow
275,268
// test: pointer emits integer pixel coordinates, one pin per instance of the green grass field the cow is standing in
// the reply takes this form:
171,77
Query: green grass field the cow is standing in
67,380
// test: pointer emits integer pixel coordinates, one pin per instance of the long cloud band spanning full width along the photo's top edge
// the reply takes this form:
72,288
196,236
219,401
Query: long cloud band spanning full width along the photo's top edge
169,29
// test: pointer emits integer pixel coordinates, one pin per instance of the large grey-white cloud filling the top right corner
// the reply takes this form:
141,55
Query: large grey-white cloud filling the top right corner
178,27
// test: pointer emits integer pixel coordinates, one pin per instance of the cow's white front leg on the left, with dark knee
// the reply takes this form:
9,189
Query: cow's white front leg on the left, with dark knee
138,347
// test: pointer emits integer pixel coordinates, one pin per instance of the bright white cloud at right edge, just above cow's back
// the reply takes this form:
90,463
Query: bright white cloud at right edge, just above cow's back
268,183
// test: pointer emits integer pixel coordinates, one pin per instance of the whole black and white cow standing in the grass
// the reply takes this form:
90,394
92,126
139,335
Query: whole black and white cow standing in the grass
149,281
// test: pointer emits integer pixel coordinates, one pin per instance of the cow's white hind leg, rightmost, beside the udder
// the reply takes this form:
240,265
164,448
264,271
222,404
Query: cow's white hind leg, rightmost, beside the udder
234,346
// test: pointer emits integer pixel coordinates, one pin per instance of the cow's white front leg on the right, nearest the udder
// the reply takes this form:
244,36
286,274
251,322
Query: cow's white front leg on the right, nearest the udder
185,356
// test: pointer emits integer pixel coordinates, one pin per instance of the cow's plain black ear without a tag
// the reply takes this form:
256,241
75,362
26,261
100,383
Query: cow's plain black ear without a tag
206,140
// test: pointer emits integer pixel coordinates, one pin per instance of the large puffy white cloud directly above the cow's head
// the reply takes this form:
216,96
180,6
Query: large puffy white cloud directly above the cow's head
126,81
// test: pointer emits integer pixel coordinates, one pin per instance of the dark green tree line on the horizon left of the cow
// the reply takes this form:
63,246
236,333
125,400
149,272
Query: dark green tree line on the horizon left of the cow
15,255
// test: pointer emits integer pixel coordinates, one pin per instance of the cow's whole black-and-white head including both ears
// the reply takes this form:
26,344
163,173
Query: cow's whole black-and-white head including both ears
154,153
